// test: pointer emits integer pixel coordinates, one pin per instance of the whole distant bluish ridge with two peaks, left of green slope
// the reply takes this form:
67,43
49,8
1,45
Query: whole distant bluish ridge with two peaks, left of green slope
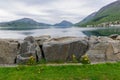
27,22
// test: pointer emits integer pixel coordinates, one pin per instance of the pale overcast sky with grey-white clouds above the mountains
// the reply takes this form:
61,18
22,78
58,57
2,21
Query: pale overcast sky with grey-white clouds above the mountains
49,11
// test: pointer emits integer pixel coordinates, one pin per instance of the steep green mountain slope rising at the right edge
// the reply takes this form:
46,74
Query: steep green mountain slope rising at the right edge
109,13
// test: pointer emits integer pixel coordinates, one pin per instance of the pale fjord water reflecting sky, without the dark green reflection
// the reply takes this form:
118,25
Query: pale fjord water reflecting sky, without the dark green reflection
13,33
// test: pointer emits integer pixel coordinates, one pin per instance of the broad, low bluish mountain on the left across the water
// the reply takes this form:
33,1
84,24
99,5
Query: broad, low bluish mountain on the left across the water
24,22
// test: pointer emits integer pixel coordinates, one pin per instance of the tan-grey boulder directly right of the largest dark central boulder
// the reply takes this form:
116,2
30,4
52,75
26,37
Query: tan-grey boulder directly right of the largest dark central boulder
97,52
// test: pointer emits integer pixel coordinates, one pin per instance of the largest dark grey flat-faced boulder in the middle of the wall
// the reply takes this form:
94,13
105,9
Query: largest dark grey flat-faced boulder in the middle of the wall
62,49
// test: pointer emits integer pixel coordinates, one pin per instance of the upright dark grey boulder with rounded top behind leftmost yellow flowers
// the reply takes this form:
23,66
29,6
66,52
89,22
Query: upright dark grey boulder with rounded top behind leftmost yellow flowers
28,48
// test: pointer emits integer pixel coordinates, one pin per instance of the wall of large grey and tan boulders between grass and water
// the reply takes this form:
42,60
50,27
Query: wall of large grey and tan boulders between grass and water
98,49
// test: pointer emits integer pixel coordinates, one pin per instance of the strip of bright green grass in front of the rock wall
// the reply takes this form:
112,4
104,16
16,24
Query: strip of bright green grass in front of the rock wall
108,71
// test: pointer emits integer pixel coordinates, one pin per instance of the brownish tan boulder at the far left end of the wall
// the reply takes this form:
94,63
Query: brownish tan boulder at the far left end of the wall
8,51
